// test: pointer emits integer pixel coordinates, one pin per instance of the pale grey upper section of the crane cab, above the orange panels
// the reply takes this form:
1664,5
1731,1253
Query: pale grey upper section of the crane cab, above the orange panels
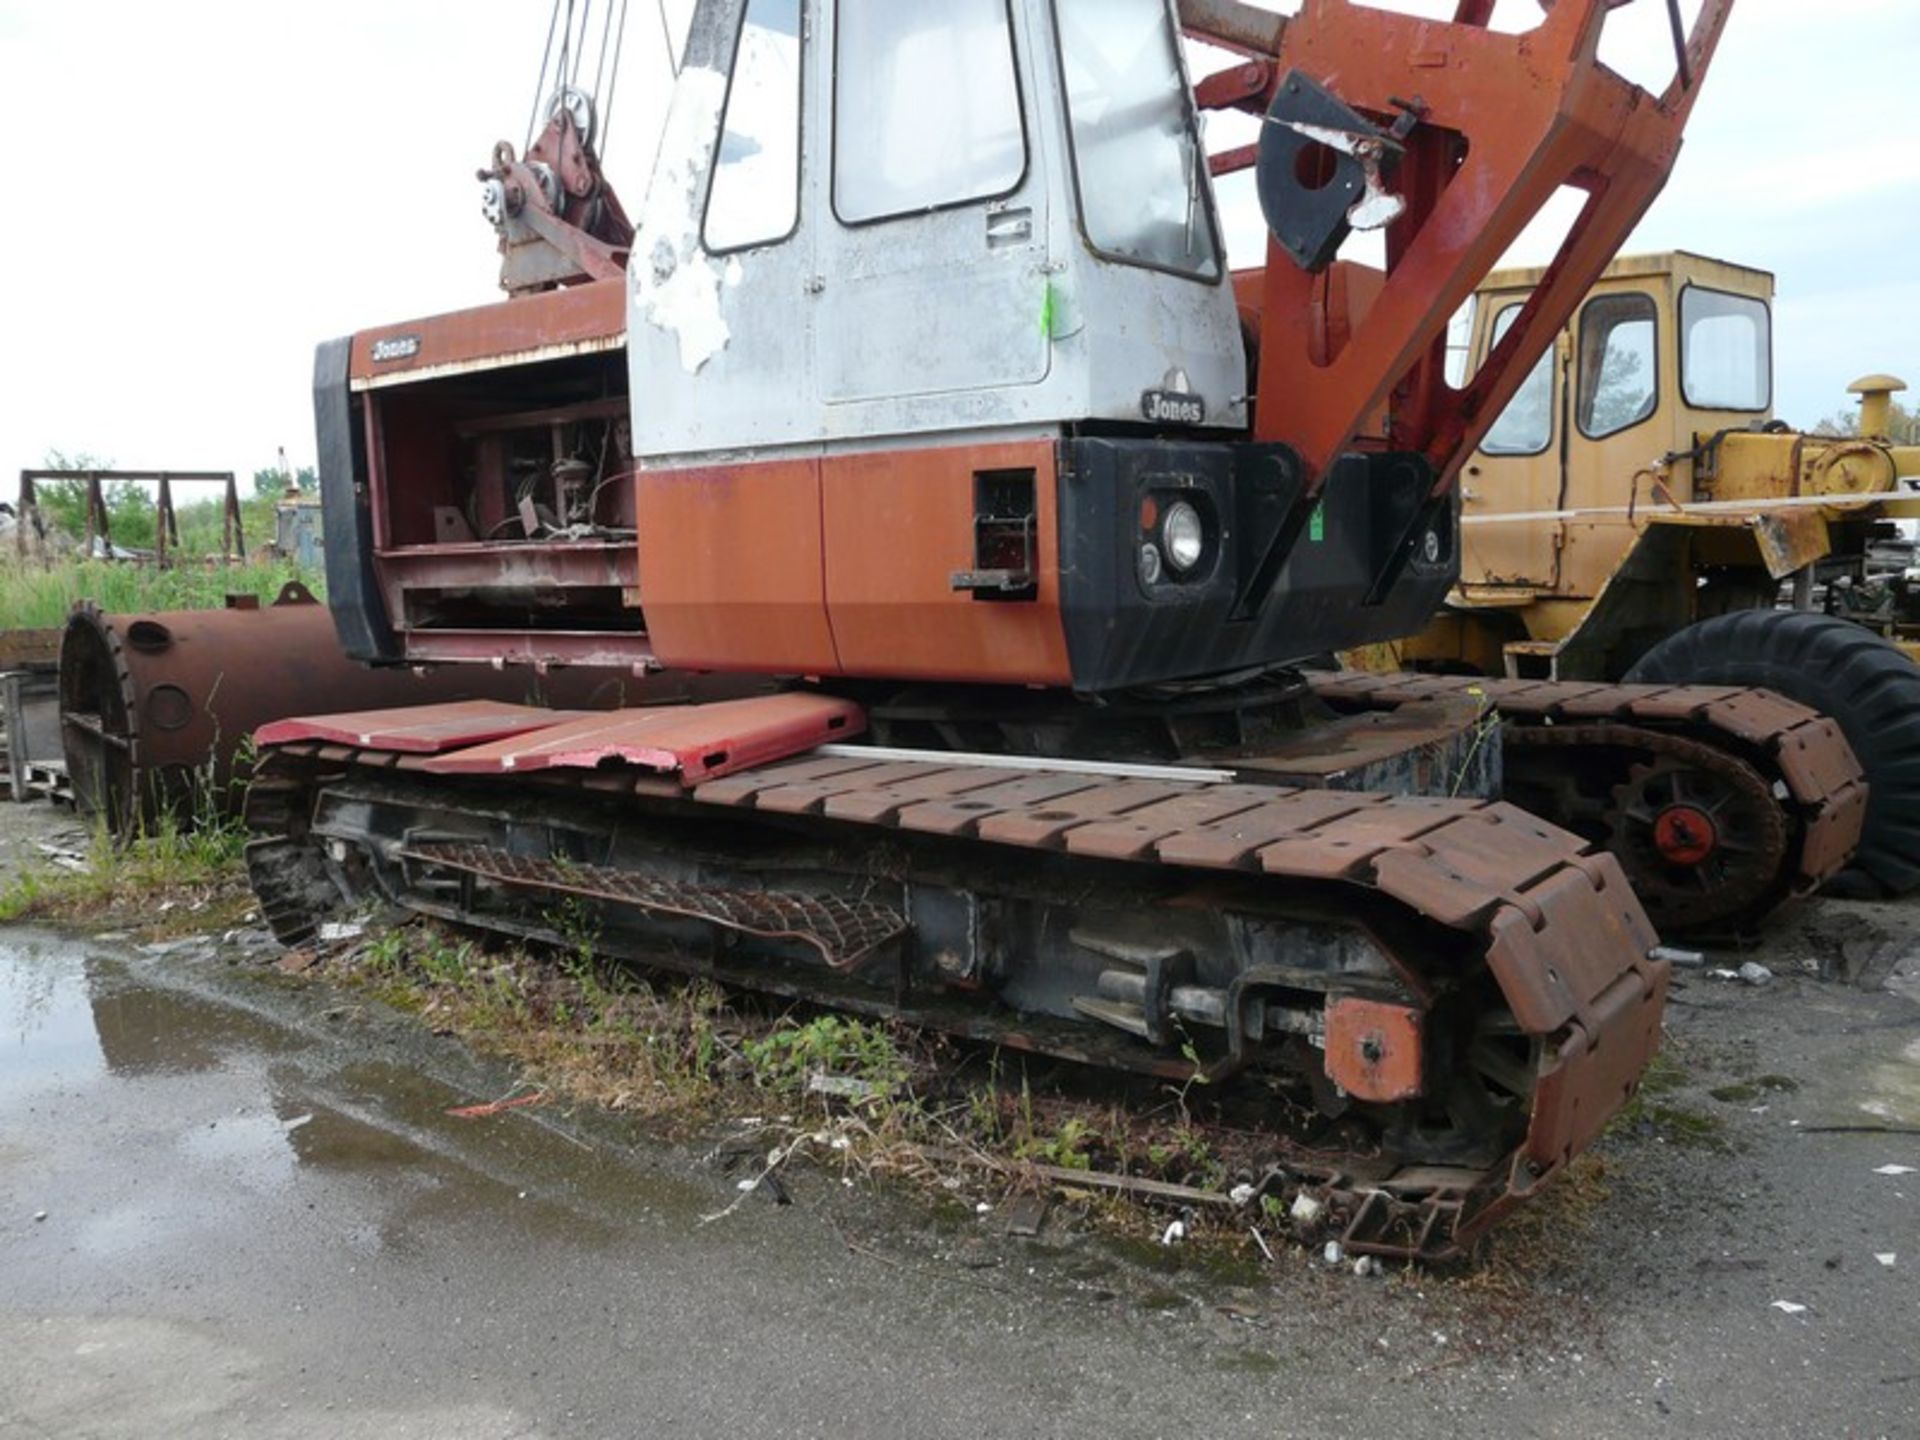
882,220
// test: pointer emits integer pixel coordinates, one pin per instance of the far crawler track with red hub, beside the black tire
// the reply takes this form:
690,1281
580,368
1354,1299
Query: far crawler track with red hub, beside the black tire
1777,782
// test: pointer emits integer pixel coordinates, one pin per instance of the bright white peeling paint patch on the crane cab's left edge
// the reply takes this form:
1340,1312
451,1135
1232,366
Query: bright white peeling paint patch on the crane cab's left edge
675,283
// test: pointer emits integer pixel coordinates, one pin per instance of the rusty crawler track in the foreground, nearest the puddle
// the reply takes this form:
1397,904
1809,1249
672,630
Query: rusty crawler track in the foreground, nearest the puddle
1284,942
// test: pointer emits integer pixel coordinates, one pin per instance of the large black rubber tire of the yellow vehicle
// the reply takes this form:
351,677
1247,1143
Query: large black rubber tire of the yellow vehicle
1846,673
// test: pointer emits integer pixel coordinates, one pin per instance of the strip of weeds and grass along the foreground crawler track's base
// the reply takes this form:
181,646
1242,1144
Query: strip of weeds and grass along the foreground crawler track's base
690,1057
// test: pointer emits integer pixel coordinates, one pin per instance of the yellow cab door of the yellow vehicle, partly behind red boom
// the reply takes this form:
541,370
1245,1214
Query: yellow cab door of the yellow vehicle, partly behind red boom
1518,471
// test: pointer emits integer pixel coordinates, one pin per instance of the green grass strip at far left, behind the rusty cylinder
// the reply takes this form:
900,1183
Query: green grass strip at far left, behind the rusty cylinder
41,596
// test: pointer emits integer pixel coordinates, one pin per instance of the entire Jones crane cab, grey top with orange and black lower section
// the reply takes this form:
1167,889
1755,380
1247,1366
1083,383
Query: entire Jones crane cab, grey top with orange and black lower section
942,366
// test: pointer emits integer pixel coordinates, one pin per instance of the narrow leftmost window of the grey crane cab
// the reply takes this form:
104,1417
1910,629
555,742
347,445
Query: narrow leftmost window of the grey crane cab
756,195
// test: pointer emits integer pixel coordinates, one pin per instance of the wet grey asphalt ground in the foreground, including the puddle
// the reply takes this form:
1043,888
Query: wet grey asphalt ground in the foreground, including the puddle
260,1220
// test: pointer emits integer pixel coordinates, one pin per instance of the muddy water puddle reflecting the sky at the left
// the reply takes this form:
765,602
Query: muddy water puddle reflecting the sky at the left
241,1093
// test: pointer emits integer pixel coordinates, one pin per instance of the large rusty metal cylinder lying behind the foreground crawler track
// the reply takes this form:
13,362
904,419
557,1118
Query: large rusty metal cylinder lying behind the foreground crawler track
158,709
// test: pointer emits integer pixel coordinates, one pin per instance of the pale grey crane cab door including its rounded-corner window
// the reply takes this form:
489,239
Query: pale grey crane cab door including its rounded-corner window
932,252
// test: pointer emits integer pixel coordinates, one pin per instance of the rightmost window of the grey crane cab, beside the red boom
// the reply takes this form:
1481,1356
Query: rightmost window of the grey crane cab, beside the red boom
1138,158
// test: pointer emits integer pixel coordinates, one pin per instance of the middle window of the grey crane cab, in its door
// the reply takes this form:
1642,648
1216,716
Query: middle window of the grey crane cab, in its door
926,107
